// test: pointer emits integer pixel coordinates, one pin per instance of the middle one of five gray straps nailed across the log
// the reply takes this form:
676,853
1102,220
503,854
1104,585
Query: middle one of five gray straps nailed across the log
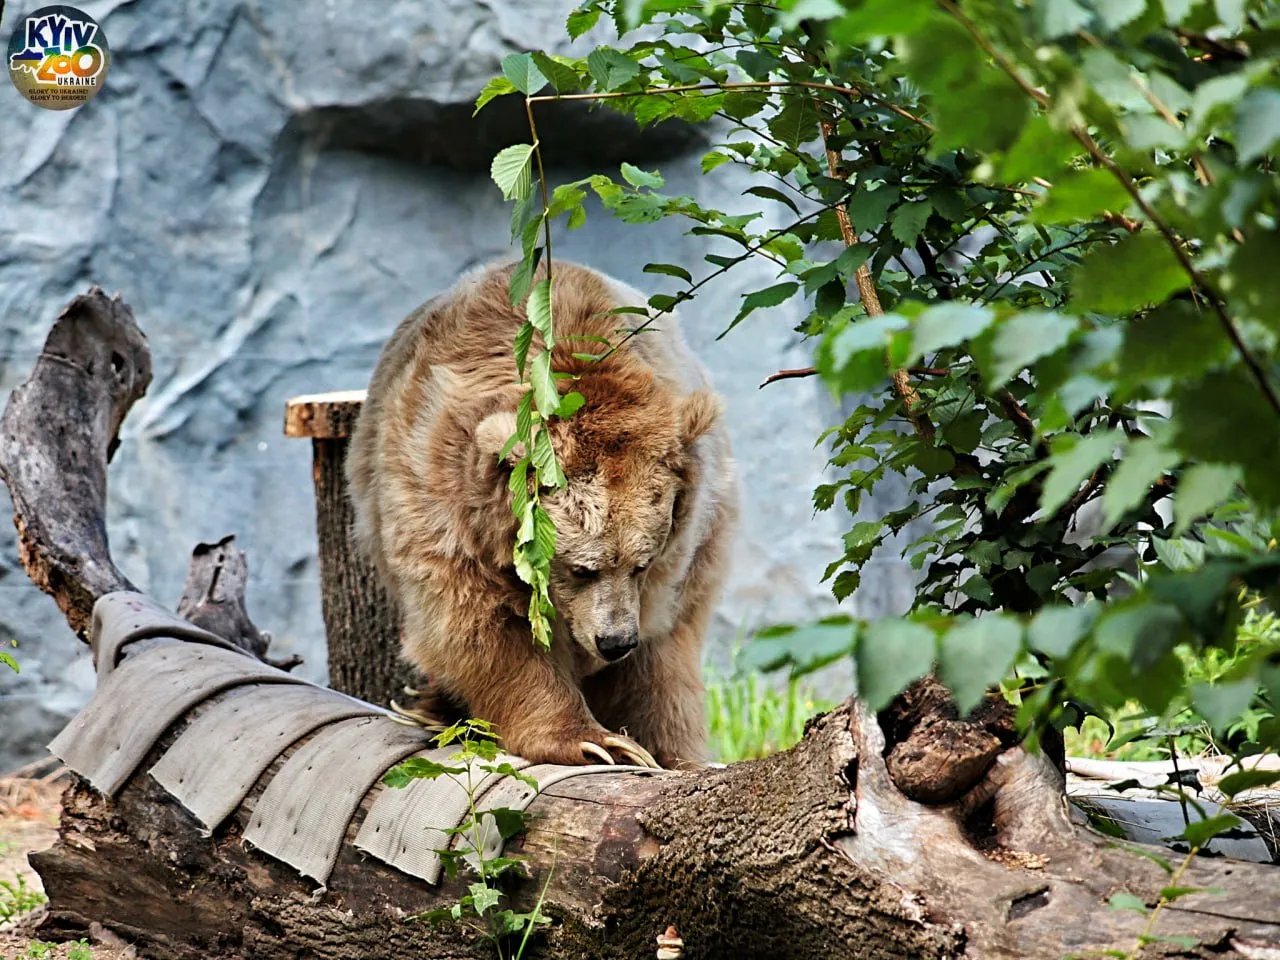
213,766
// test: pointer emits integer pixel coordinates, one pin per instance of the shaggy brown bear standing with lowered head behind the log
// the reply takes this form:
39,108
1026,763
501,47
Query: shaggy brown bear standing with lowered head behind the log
643,525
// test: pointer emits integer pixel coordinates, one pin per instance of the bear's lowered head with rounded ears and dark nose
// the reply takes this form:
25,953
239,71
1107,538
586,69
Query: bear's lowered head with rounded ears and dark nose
629,456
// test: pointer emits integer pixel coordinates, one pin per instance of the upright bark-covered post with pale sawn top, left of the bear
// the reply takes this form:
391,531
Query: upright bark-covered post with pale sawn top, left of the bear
362,621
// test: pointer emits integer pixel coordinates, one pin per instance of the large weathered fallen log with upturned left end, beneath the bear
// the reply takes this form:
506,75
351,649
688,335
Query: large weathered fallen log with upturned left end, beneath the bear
812,853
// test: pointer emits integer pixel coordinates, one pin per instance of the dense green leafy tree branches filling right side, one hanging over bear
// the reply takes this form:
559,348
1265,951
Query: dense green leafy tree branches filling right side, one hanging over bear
1068,213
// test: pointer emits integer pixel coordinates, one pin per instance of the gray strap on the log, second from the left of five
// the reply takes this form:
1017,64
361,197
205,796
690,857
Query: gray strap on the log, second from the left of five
139,701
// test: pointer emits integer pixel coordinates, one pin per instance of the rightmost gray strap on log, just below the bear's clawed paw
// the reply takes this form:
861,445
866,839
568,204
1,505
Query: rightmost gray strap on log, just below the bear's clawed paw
409,826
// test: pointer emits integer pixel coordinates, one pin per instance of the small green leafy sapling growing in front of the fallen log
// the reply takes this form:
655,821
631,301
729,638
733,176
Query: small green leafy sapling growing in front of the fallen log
477,757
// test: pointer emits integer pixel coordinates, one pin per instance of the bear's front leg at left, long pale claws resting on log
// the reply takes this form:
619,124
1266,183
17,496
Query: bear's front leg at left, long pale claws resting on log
487,660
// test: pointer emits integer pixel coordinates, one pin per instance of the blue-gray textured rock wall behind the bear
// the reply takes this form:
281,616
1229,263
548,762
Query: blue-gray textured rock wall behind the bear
273,188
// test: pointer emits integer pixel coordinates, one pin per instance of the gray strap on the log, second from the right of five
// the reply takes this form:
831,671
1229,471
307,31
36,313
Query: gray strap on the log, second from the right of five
305,811
